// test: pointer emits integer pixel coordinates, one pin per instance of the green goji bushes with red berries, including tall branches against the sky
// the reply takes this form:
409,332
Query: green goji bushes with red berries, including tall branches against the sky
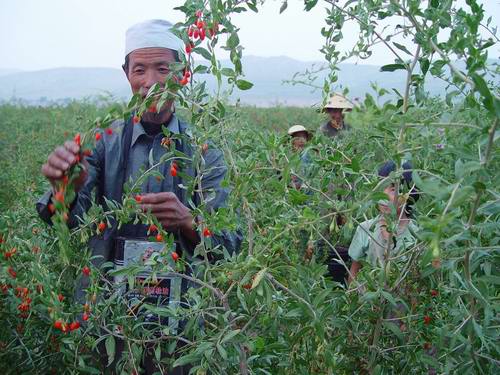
272,308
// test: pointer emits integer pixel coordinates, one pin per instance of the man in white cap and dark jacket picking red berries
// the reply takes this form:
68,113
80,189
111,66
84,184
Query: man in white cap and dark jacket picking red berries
150,49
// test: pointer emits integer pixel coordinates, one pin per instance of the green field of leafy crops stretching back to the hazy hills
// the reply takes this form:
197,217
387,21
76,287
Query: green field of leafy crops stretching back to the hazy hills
426,313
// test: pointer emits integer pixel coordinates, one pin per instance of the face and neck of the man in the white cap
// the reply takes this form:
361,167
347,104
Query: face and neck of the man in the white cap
146,67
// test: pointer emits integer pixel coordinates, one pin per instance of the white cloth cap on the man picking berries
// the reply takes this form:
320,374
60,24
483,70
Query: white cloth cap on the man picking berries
152,33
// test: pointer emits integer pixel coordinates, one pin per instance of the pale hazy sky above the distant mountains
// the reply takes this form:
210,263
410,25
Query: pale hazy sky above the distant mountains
39,34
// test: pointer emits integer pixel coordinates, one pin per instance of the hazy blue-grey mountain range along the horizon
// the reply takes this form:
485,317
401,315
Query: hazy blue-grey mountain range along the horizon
266,73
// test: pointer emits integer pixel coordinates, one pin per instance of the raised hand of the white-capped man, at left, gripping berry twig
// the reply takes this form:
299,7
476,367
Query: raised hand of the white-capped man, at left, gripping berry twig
60,161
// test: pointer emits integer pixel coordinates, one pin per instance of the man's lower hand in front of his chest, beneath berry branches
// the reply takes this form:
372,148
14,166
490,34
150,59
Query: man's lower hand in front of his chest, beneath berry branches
171,213
